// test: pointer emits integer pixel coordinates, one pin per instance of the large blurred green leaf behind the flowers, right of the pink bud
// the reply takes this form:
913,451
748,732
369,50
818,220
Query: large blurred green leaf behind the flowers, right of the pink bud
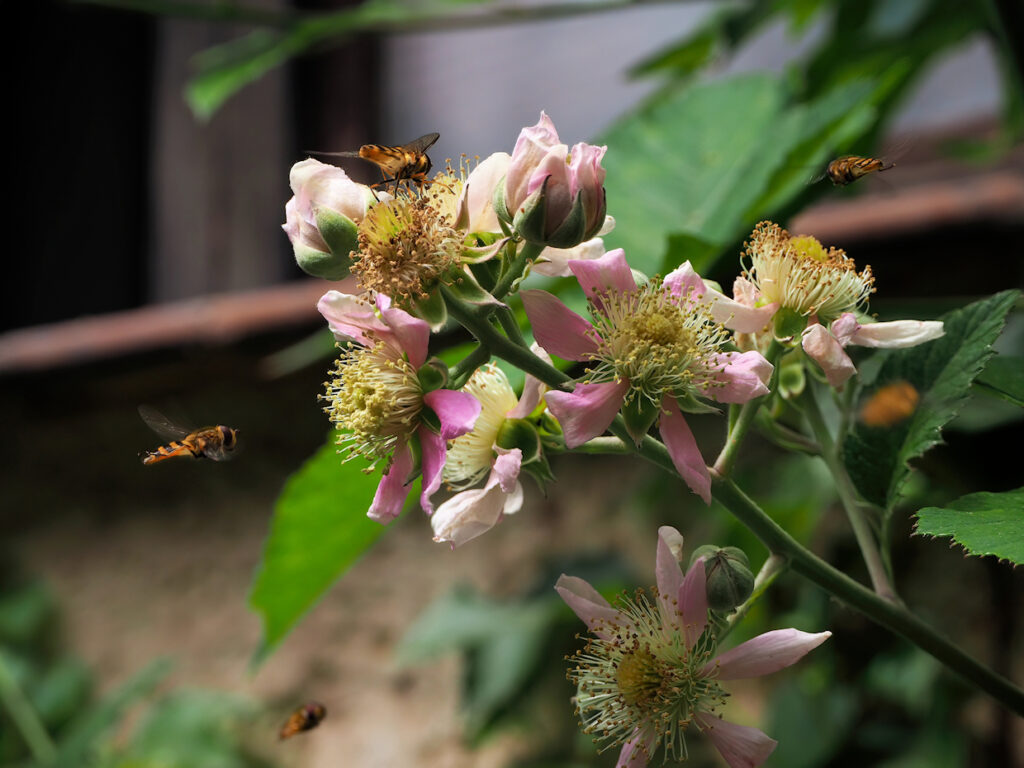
696,164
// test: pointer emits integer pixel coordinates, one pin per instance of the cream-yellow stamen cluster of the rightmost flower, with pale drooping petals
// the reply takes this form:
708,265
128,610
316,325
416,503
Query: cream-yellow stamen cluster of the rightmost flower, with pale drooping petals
801,275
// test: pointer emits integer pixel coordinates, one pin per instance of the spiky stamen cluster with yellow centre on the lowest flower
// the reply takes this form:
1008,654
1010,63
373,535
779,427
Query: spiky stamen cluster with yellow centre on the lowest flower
638,674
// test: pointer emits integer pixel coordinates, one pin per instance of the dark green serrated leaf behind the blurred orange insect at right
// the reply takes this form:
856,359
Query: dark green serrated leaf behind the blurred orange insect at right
943,372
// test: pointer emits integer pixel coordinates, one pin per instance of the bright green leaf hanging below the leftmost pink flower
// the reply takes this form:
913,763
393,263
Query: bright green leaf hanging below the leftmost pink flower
320,529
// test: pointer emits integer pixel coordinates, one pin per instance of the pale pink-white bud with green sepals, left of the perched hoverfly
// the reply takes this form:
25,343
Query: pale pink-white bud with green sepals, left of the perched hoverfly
322,218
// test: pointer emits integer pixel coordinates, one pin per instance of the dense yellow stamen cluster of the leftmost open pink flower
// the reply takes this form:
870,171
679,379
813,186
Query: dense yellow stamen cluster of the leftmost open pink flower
375,399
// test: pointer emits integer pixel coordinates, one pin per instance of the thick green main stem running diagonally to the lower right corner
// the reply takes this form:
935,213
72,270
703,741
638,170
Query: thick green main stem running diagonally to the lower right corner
892,616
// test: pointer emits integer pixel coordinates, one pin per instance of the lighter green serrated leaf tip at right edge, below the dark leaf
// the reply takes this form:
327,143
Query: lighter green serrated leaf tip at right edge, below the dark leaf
983,524
